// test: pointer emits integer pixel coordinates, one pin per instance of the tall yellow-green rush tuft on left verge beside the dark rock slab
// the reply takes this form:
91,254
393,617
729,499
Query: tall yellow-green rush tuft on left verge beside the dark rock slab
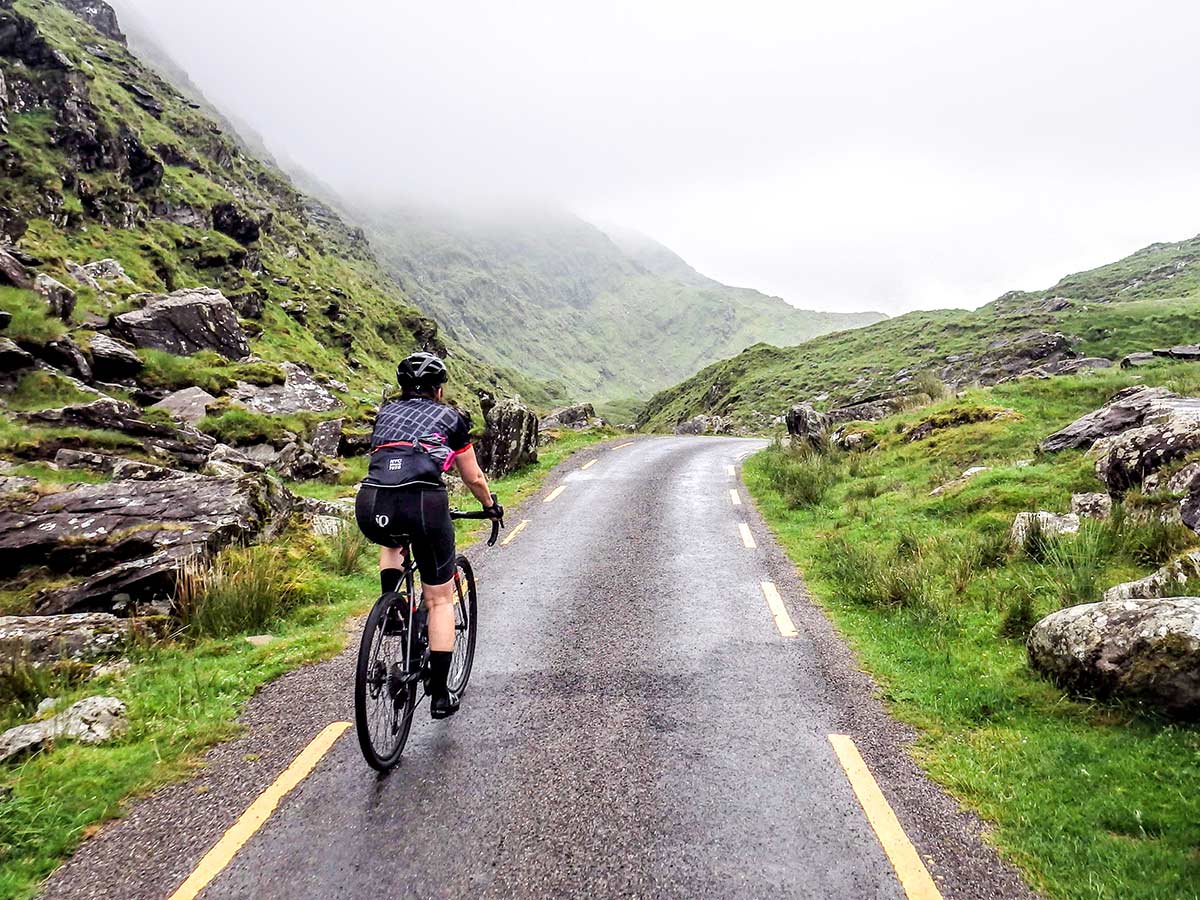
244,591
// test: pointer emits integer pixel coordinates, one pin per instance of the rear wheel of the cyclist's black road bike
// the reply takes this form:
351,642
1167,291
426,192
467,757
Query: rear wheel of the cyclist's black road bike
385,693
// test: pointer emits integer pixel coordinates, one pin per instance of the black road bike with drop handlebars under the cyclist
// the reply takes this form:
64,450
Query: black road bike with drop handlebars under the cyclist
393,674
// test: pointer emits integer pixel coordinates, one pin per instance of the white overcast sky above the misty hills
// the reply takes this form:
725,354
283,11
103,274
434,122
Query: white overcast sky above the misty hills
866,155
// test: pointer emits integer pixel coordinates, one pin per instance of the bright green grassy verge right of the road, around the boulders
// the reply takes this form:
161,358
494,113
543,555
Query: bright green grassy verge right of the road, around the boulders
1090,801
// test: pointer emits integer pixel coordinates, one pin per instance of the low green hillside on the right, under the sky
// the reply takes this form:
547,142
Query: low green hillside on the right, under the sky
1150,299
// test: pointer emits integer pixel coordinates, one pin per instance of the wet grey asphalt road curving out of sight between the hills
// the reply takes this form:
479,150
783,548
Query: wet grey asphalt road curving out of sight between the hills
635,727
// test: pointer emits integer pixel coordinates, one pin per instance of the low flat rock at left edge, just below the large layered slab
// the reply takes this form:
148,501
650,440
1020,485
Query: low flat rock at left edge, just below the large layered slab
81,638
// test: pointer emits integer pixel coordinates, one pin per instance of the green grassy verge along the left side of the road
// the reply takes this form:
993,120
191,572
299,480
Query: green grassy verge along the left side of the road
185,695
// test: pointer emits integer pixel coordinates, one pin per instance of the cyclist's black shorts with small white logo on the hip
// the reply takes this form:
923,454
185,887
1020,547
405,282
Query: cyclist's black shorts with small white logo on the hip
387,515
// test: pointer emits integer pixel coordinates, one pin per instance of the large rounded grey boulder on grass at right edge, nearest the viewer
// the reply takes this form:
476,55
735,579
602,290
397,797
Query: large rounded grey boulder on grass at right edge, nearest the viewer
1145,651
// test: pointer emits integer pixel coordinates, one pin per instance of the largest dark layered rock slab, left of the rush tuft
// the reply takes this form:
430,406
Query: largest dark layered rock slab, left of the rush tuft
130,537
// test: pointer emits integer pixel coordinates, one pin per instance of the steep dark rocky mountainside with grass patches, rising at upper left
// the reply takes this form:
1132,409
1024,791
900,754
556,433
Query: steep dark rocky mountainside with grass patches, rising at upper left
103,158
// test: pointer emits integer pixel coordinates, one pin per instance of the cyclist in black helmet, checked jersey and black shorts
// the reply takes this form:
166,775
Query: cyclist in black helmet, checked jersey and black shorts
416,441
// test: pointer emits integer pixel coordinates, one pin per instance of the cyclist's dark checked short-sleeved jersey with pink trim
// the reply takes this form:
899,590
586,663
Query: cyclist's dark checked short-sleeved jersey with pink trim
416,442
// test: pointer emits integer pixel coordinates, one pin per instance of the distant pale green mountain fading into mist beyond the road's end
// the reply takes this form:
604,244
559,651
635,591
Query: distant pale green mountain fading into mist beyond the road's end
561,299
